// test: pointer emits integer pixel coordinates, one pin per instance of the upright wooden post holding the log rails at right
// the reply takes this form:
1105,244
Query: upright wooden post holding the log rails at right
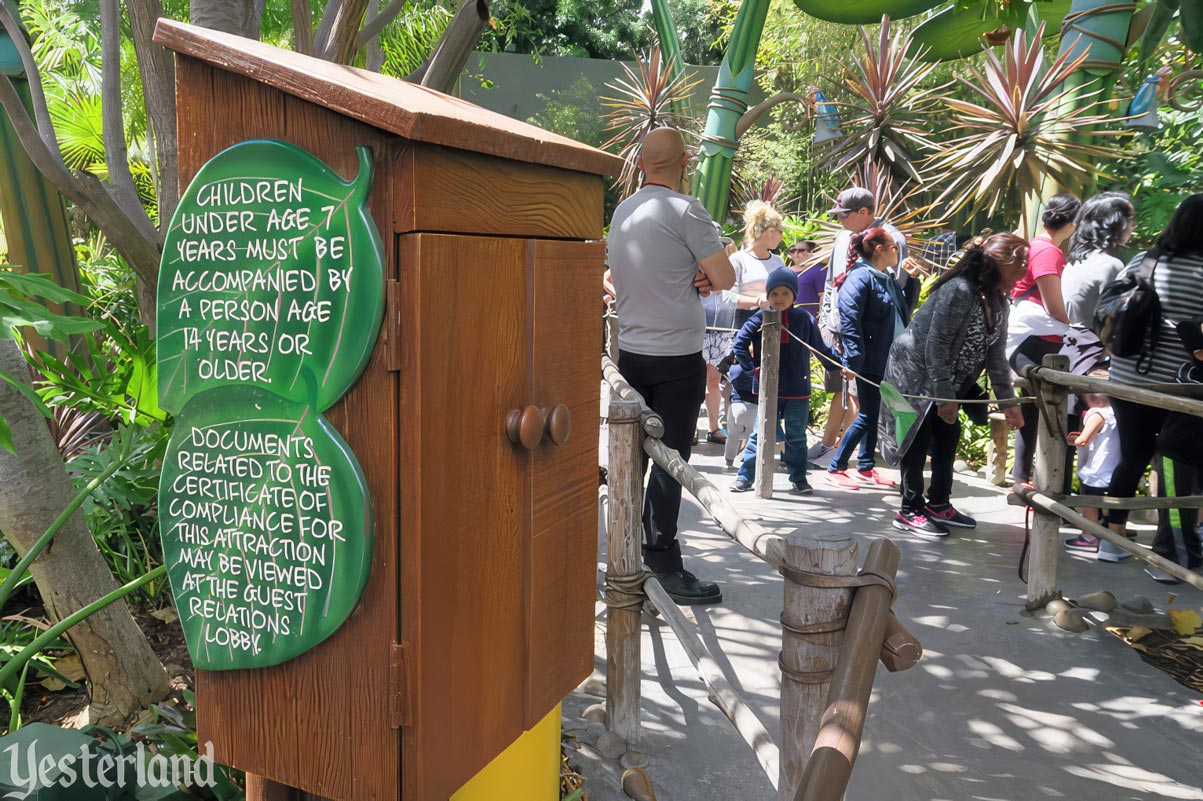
1048,479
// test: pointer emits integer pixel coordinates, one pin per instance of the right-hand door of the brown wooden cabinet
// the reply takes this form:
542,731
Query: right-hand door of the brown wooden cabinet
566,349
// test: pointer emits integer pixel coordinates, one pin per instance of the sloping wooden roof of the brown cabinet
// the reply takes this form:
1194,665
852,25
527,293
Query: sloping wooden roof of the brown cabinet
404,109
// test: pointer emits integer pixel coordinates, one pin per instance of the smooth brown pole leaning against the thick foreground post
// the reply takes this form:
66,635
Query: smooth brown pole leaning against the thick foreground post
852,681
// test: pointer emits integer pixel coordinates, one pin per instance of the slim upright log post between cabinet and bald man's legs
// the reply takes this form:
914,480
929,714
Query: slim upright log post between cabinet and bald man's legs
625,563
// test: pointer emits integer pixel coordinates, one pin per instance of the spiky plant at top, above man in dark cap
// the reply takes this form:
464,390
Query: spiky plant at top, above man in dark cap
890,115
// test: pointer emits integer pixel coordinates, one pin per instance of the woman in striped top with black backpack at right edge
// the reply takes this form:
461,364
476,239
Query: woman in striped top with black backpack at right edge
1142,310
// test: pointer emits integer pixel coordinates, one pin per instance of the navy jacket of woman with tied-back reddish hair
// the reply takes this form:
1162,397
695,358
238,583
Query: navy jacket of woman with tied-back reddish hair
868,299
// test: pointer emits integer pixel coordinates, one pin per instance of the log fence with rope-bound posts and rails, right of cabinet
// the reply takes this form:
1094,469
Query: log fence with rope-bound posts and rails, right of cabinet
821,584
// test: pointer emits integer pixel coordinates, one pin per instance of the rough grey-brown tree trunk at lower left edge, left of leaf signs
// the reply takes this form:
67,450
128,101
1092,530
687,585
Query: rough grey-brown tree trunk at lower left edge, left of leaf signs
125,674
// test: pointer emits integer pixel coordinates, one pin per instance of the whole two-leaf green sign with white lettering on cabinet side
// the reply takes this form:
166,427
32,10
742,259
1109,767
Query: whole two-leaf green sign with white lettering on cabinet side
271,294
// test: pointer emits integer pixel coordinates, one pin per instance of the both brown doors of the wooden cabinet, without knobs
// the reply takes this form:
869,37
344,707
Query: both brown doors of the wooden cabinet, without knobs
499,543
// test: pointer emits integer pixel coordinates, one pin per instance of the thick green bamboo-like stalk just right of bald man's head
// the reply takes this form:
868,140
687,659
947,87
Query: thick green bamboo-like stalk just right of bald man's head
728,102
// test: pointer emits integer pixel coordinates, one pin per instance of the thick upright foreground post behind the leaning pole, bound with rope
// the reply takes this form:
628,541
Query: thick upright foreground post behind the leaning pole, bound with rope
813,630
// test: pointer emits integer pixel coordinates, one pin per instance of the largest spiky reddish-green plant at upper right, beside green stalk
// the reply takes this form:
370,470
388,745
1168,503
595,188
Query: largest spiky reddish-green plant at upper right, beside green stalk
1022,134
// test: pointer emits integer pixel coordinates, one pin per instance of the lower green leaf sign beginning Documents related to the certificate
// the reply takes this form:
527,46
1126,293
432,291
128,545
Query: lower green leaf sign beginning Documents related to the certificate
266,529
